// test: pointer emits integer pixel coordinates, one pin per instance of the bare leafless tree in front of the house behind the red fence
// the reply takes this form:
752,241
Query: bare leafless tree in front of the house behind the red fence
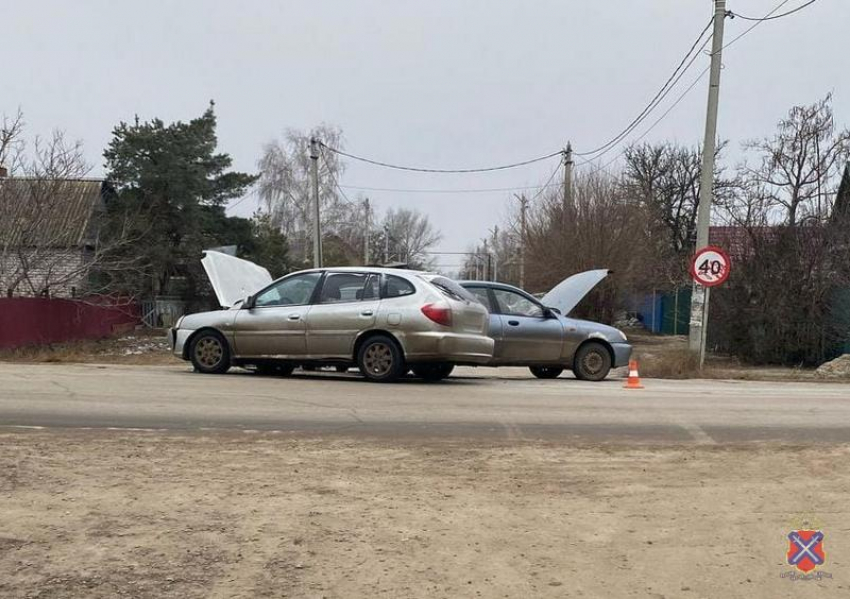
50,217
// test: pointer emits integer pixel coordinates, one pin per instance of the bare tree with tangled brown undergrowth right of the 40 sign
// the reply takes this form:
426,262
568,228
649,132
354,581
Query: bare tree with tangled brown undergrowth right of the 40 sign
786,301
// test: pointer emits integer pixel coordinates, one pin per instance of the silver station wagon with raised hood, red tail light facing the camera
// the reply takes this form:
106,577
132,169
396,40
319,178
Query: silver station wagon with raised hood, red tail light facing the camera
386,322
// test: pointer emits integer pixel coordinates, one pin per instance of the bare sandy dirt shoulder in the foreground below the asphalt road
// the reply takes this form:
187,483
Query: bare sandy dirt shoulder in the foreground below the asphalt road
143,514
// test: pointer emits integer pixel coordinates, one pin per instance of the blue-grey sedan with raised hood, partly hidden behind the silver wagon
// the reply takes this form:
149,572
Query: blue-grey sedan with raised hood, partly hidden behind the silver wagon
530,333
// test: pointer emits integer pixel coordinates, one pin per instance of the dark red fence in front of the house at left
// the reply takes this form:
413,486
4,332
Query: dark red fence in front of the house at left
38,321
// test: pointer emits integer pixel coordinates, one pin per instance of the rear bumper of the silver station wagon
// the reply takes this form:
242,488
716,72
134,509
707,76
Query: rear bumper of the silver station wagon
436,346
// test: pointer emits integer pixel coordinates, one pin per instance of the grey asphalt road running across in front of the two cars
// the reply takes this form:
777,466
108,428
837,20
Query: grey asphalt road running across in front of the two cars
480,403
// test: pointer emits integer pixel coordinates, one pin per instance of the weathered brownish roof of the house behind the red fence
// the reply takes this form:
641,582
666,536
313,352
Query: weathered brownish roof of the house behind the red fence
48,212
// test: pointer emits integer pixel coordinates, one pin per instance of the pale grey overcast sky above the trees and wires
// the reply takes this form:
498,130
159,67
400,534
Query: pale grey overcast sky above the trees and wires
443,84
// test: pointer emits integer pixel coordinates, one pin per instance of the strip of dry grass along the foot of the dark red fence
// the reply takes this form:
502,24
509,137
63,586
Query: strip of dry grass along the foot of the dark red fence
144,346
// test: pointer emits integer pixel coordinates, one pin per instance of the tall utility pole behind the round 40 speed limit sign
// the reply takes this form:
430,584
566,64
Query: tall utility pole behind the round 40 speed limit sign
700,294
